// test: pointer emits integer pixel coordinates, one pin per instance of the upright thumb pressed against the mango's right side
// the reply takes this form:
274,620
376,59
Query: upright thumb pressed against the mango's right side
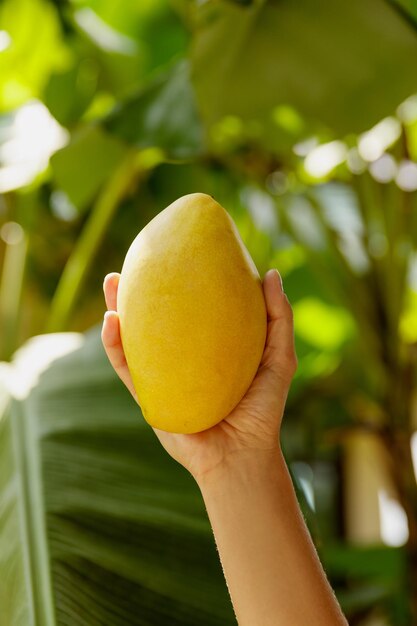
279,355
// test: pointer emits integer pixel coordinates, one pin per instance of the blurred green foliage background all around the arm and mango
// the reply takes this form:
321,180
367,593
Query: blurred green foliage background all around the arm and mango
300,118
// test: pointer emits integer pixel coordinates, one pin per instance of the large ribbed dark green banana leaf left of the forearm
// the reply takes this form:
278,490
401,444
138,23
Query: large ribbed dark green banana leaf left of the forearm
98,525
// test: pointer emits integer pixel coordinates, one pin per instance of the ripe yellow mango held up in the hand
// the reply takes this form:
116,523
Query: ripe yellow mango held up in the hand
192,316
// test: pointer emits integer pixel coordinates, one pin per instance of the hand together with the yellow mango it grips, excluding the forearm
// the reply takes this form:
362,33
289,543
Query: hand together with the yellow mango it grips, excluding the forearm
203,345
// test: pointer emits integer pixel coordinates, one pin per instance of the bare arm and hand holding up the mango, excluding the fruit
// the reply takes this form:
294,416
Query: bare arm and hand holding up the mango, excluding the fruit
271,567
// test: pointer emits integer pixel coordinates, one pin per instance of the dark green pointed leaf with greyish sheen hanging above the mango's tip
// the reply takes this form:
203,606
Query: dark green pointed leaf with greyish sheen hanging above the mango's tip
163,115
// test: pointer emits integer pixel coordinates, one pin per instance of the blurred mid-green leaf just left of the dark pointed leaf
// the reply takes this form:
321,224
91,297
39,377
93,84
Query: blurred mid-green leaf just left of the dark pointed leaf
84,165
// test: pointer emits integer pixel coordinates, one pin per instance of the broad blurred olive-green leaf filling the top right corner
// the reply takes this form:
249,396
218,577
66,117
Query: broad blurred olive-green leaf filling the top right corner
331,65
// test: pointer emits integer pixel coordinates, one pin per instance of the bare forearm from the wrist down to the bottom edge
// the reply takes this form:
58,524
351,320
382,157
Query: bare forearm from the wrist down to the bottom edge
271,567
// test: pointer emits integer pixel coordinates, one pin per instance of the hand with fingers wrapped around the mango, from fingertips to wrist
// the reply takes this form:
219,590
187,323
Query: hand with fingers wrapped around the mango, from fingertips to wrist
252,428
